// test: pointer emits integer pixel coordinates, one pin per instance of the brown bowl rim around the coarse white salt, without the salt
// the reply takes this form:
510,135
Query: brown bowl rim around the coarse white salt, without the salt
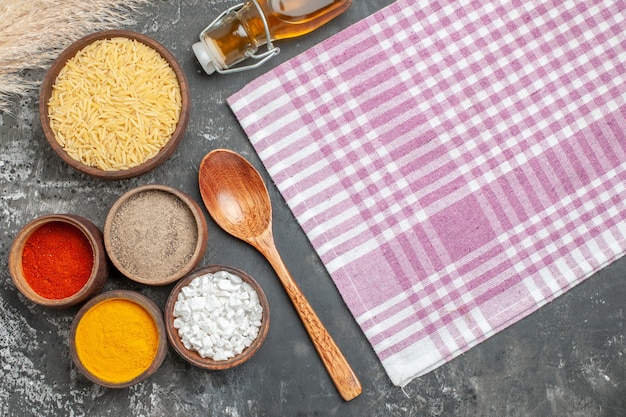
194,357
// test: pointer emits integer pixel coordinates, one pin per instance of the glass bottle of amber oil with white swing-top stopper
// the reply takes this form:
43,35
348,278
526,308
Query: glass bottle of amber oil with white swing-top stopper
238,33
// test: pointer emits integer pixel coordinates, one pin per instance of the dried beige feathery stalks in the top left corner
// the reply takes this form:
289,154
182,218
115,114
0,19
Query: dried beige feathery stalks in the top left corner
33,33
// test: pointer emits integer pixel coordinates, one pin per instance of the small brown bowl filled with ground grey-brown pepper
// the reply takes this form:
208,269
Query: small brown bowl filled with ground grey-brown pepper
155,234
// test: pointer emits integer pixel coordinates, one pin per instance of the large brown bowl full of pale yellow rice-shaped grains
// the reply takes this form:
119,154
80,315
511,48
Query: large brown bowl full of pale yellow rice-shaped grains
115,104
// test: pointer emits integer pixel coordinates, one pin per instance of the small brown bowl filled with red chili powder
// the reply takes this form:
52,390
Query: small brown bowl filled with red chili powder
58,260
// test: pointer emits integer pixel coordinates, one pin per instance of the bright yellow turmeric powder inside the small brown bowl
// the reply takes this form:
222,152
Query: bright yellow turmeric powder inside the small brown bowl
116,340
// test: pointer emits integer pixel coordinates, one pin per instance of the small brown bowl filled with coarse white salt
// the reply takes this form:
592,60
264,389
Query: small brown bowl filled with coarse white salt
217,317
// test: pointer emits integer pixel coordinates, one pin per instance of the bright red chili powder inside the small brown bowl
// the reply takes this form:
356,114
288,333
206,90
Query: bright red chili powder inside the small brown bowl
57,260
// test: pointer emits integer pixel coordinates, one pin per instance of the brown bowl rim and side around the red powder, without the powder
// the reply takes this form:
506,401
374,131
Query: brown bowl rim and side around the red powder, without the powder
99,271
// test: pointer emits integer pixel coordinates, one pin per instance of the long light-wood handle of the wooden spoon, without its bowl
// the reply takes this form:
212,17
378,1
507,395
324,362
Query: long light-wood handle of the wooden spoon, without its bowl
338,368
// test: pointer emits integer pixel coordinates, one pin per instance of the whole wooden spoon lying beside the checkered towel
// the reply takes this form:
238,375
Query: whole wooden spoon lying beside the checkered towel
237,199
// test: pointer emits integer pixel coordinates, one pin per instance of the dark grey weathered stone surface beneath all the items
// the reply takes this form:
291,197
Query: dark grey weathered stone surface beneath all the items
567,359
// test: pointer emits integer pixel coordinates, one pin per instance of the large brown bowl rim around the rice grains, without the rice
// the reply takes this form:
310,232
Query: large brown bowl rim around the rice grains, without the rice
165,152
